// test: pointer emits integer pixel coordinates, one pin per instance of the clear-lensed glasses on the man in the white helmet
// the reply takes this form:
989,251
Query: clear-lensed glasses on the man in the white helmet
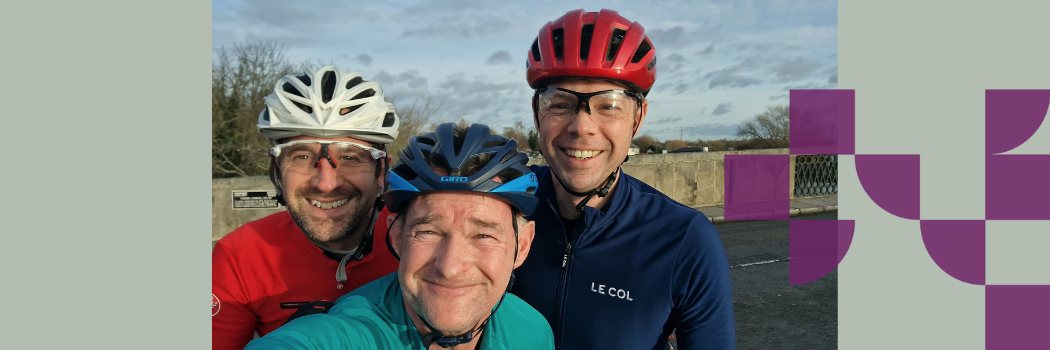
305,156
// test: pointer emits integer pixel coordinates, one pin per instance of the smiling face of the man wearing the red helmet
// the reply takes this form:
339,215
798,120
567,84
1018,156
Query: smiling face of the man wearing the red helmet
584,150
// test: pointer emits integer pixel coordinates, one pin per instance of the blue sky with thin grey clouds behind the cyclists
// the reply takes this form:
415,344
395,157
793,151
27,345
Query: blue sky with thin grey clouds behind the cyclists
719,63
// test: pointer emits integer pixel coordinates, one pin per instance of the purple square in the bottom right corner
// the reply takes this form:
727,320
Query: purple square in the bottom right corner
1017,318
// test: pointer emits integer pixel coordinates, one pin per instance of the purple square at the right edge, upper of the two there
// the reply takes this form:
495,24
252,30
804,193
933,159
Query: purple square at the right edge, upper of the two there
1018,188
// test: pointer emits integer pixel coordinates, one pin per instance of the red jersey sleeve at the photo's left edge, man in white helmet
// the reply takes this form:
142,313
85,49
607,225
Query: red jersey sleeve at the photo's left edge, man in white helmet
233,321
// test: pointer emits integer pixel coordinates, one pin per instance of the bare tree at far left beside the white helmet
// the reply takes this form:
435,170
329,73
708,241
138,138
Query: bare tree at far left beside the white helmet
241,77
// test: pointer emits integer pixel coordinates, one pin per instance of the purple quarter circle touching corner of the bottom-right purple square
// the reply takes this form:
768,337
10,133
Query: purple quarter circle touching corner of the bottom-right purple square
957,246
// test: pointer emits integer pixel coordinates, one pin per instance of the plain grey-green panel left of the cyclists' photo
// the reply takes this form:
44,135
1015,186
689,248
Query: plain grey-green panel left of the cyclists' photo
107,139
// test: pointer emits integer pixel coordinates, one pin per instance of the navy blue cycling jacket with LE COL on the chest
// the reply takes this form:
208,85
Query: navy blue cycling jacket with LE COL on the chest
628,275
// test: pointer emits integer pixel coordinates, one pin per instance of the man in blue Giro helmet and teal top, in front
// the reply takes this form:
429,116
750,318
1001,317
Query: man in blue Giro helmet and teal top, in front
459,198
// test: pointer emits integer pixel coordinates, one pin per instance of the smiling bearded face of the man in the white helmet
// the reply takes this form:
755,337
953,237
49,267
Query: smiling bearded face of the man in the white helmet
329,204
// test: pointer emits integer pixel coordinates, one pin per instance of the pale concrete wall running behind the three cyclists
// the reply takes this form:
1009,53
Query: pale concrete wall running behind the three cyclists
692,179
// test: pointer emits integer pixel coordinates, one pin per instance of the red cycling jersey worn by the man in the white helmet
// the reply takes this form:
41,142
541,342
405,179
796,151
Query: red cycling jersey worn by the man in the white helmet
269,263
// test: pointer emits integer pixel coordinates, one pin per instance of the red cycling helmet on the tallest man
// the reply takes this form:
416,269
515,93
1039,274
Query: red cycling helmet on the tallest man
602,45
